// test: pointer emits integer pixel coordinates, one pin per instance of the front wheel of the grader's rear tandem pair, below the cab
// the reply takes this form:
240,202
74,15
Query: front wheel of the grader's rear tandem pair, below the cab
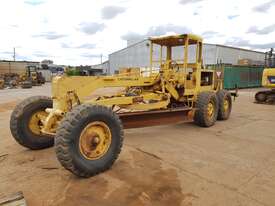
206,109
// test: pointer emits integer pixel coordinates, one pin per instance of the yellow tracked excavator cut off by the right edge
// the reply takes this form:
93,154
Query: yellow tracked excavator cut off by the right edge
268,80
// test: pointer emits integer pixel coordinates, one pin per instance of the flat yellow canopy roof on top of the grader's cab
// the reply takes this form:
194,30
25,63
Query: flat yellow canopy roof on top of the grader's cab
176,40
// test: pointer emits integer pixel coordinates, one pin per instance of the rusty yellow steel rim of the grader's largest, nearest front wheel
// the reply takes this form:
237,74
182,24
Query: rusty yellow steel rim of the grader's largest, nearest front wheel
95,140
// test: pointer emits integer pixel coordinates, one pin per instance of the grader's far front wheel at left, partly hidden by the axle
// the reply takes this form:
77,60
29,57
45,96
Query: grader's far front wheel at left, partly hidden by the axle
25,123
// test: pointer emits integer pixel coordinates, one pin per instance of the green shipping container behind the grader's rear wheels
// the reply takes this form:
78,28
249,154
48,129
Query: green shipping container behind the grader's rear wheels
242,76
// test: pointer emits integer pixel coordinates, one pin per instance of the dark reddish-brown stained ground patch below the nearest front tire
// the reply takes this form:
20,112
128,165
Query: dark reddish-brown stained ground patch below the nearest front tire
140,180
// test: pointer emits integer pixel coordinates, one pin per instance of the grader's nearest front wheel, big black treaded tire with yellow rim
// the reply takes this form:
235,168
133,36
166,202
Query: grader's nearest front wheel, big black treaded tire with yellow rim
89,140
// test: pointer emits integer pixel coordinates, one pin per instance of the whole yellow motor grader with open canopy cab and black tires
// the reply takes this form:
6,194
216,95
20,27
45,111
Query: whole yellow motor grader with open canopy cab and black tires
87,131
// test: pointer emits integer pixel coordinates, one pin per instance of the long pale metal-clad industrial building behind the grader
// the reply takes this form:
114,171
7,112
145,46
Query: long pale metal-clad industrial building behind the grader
137,54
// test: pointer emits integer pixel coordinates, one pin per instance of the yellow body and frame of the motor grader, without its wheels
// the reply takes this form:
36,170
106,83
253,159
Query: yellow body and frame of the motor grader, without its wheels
155,90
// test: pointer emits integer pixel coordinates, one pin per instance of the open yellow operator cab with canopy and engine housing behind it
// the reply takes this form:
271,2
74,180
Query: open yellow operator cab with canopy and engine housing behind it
181,53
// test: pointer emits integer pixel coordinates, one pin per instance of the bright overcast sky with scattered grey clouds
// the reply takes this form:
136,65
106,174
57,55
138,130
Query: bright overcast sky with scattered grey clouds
78,31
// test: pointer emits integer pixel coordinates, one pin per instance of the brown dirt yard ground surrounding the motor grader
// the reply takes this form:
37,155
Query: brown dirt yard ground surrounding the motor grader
231,163
